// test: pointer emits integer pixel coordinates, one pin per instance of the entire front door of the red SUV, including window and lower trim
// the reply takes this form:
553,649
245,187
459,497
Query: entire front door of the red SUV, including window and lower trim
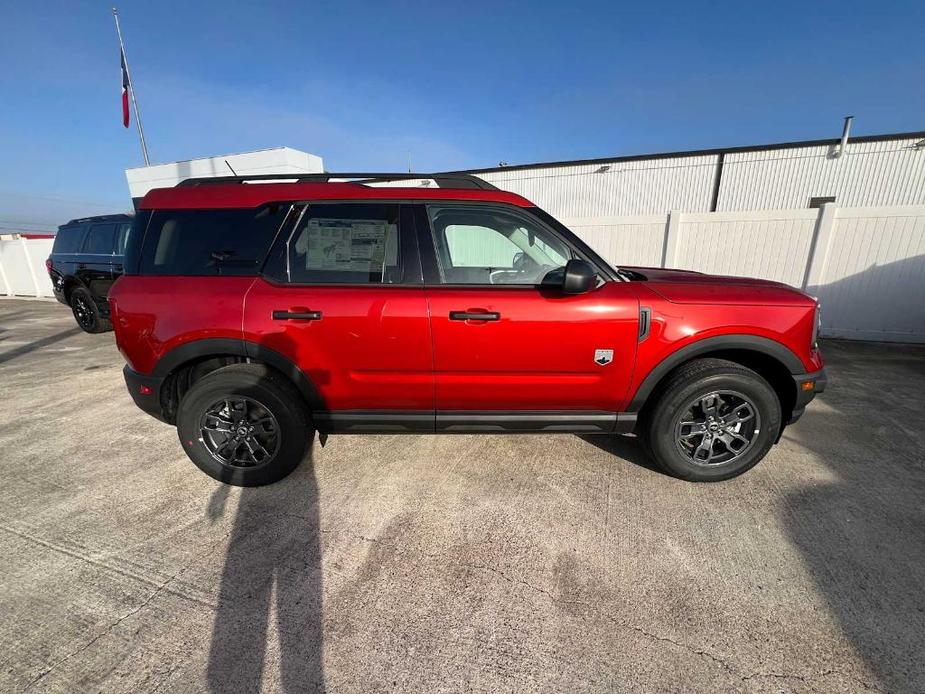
509,353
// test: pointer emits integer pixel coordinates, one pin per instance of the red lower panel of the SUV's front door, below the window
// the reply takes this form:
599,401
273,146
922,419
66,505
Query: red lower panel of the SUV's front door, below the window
540,354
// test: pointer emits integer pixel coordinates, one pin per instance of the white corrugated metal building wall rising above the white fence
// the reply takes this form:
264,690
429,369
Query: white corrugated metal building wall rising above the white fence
884,172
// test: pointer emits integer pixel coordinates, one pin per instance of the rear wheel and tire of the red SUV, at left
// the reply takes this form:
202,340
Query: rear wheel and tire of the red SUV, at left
254,396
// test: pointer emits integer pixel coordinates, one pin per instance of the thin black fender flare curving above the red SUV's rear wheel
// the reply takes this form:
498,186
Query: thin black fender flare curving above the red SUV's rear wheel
220,346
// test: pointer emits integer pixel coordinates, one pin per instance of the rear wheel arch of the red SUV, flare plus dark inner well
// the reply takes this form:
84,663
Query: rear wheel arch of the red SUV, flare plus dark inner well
184,364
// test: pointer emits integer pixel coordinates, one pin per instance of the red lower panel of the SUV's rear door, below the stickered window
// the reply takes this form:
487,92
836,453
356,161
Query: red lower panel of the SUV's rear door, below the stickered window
371,350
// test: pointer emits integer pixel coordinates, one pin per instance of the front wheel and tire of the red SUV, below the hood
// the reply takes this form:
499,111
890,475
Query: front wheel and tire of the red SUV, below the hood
689,396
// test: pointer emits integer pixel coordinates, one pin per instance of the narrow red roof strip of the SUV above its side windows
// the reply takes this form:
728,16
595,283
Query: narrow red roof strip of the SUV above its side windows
256,194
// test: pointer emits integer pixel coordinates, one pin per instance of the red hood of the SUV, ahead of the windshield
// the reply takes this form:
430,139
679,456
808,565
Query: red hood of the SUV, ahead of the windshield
689,287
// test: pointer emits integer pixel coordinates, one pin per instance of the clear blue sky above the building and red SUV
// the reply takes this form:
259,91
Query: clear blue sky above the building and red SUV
458,84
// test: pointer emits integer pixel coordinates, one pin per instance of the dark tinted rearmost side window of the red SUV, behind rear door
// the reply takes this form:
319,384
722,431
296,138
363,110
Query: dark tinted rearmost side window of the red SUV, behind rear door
210,242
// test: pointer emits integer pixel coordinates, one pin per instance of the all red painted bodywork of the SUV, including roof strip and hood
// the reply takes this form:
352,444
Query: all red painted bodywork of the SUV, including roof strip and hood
394,347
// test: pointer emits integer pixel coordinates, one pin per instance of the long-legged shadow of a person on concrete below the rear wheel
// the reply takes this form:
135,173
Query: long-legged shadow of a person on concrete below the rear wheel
273,560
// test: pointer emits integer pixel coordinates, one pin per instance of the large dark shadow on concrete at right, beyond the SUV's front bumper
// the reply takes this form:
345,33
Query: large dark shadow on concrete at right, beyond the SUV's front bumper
862,535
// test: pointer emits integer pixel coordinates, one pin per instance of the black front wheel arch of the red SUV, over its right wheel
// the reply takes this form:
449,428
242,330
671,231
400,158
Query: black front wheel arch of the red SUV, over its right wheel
775,362
